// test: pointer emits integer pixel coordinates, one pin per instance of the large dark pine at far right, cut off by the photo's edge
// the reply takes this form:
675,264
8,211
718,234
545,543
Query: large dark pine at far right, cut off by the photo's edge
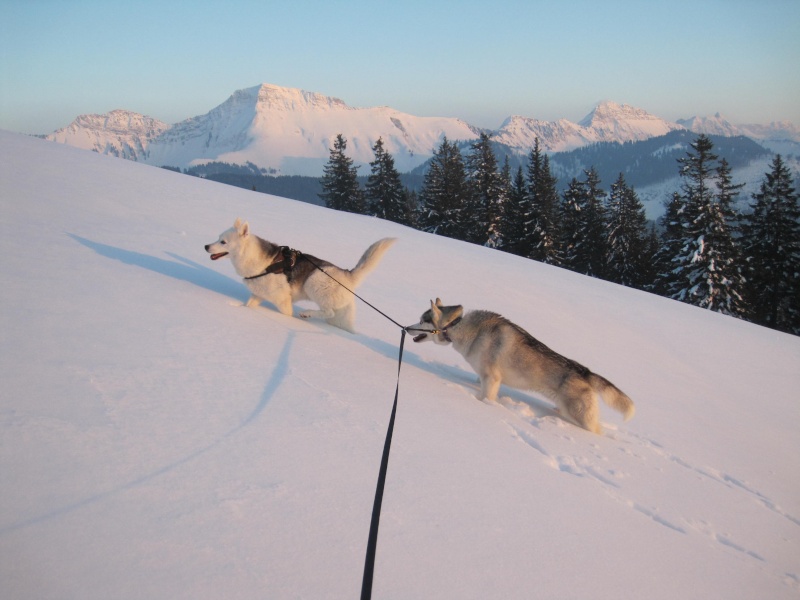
771,241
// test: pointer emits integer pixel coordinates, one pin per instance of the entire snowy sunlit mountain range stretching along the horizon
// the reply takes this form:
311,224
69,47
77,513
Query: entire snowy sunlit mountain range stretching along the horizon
289,131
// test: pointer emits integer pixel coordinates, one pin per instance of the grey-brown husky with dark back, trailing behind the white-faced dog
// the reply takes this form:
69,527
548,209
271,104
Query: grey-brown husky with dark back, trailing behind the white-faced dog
501,352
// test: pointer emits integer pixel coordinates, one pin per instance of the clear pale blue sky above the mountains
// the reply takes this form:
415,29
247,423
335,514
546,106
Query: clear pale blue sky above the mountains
477,60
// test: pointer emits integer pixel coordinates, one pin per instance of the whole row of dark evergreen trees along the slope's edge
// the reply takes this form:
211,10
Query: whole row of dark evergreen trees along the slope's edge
705,252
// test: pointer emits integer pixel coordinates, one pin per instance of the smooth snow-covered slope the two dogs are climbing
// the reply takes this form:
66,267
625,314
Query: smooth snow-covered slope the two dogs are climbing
159,440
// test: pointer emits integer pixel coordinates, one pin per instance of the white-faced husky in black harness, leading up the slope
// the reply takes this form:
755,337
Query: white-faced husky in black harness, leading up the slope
281,276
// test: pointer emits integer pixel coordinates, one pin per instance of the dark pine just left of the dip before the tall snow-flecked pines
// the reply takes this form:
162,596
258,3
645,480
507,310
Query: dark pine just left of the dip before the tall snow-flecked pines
628,237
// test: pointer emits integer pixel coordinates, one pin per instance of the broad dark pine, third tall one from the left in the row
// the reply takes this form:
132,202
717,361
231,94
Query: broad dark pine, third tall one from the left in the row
444,194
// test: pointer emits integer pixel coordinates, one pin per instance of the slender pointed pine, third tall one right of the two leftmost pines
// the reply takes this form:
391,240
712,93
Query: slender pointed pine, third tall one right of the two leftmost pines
541,228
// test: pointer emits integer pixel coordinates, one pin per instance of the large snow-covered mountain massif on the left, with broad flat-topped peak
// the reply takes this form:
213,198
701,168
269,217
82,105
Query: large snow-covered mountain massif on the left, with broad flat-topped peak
286,131
